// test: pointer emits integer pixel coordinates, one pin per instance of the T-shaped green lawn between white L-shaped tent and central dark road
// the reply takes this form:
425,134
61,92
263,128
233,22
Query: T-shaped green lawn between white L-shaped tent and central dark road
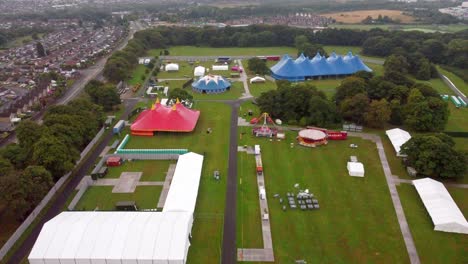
209,212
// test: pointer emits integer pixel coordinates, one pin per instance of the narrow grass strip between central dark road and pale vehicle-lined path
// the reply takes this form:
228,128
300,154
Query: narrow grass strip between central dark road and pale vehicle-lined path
249,226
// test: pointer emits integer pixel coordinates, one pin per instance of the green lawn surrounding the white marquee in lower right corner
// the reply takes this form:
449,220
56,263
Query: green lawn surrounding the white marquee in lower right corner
434,246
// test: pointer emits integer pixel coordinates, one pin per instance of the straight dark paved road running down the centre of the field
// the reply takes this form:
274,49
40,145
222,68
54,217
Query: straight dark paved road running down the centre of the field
229,250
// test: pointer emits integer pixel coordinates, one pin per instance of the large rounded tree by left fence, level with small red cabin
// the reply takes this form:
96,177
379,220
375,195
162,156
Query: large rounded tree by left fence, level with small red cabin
55,156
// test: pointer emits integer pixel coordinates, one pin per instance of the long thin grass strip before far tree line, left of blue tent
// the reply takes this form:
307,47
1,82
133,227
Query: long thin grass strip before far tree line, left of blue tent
230,51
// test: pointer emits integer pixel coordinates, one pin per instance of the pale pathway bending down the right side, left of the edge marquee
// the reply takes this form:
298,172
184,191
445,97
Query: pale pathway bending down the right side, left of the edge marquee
404,227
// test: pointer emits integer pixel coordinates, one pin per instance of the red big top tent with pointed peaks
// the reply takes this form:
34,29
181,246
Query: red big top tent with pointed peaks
177,118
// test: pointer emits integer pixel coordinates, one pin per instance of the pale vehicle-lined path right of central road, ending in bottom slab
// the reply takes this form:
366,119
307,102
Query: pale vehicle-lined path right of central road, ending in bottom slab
264,254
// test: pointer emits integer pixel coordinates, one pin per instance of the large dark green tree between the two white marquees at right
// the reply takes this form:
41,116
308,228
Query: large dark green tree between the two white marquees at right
433,156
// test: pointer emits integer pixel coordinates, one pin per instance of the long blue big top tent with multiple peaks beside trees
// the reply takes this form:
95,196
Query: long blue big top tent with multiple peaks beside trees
318,67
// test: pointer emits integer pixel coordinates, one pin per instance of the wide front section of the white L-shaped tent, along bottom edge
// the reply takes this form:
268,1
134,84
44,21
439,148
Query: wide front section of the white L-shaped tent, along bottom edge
114,236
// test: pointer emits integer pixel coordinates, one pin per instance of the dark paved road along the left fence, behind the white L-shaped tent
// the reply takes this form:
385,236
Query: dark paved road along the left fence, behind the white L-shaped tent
59,203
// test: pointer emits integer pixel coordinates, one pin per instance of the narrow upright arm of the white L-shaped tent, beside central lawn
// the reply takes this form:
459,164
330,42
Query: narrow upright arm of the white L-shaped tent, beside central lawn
182,195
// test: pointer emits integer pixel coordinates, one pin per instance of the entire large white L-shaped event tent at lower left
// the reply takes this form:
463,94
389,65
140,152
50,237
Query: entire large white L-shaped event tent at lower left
126,237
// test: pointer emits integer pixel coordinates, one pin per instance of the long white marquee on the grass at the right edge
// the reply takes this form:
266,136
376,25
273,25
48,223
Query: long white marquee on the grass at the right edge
443,210
